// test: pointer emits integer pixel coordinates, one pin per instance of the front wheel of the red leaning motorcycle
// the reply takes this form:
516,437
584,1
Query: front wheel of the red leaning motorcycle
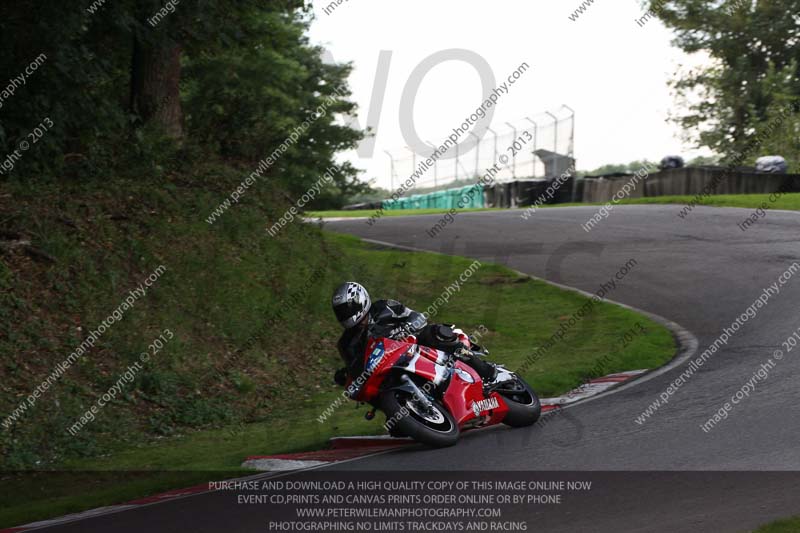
405,415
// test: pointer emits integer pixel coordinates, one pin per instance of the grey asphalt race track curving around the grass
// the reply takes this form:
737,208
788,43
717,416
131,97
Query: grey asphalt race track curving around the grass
701,272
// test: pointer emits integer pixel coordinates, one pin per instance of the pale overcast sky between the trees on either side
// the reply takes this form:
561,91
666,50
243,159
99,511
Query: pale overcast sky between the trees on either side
613,72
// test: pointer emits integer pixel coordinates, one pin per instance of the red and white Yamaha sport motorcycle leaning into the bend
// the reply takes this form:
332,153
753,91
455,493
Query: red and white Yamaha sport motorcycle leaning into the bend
432,396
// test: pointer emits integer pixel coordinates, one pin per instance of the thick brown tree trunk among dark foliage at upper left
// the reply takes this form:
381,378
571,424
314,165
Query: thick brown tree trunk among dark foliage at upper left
155,85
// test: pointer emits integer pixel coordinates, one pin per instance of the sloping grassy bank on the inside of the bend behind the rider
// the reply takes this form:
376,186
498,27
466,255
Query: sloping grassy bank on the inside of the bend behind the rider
249,370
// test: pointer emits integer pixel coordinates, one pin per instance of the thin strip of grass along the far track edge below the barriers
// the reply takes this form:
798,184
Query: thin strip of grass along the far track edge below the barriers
789,201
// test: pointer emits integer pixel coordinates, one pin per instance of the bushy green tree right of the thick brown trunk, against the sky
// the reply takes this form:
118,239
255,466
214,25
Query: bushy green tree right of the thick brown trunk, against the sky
270,89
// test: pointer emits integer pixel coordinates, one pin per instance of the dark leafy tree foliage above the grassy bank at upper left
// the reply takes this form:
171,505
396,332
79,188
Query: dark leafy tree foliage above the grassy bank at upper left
247,78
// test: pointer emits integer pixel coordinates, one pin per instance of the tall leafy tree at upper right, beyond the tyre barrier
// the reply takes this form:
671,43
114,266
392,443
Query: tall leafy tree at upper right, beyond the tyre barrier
748,43
